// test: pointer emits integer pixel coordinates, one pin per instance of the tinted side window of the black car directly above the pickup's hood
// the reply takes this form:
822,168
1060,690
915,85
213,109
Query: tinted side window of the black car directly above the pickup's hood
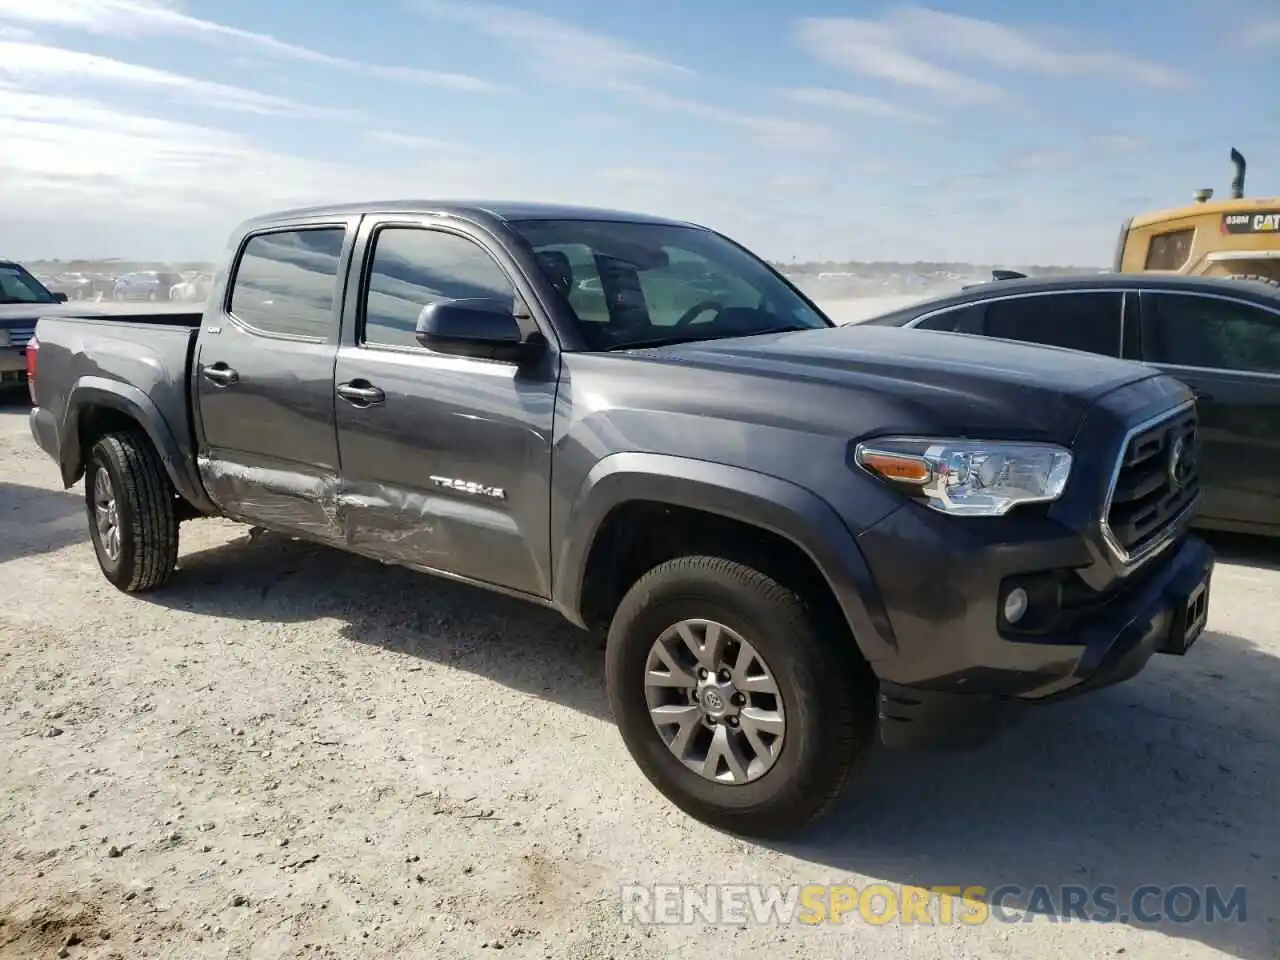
1085,321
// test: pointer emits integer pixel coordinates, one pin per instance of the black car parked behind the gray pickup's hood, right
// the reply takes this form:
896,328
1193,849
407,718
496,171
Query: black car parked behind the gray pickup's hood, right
1219,336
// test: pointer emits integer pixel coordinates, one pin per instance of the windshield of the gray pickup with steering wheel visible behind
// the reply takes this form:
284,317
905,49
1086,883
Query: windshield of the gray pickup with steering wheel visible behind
639,285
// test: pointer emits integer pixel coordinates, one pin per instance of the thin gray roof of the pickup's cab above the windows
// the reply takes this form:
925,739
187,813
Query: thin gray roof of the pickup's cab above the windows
476,211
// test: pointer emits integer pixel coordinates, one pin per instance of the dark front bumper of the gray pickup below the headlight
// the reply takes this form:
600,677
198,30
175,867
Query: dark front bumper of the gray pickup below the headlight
961,673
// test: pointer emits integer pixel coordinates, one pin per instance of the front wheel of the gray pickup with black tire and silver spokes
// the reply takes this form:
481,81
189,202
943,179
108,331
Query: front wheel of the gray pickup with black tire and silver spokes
779,715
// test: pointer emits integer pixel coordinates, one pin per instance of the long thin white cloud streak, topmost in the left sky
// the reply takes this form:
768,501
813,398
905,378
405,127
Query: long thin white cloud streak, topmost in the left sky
164,17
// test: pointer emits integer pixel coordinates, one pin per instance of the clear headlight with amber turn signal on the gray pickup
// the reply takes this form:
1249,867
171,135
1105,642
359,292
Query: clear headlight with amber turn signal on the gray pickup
970,478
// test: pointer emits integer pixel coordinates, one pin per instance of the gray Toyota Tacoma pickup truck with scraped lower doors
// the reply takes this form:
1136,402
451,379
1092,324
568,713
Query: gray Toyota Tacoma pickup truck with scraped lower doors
801,538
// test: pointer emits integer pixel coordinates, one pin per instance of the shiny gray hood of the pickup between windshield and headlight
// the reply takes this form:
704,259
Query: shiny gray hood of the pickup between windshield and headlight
916,380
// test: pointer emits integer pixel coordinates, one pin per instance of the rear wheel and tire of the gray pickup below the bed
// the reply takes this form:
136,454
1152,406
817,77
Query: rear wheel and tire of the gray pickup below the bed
132,513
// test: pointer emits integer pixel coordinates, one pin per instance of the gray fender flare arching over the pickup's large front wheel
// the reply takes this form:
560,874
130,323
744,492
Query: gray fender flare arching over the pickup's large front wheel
746,496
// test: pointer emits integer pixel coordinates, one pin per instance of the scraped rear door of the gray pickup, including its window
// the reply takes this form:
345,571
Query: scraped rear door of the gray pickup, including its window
268,449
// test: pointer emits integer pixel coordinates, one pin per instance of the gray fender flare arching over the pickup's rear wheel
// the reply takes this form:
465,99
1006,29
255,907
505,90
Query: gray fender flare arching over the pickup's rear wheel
129,400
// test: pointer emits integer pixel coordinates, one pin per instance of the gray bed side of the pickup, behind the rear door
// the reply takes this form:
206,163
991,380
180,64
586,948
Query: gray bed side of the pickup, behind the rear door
102,374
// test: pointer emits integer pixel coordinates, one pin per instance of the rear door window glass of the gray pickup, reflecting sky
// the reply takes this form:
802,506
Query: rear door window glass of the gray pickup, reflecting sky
286,282
